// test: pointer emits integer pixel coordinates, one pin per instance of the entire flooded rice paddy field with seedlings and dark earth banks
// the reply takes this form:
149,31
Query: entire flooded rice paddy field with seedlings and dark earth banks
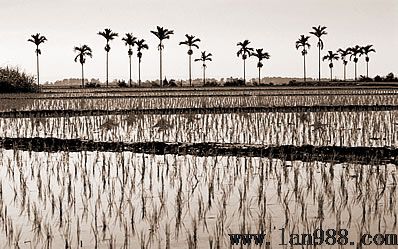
185,168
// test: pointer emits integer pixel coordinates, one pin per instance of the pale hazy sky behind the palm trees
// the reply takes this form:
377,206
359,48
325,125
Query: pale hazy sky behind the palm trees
273,25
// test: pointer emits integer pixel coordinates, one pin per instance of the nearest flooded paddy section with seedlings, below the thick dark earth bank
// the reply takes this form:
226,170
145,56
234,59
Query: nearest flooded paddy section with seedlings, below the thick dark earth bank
104,199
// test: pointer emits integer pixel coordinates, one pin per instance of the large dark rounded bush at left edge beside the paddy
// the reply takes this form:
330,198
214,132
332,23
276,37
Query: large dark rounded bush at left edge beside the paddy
13,80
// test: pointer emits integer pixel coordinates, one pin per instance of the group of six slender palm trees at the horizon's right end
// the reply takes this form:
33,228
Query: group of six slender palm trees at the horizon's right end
353,53
